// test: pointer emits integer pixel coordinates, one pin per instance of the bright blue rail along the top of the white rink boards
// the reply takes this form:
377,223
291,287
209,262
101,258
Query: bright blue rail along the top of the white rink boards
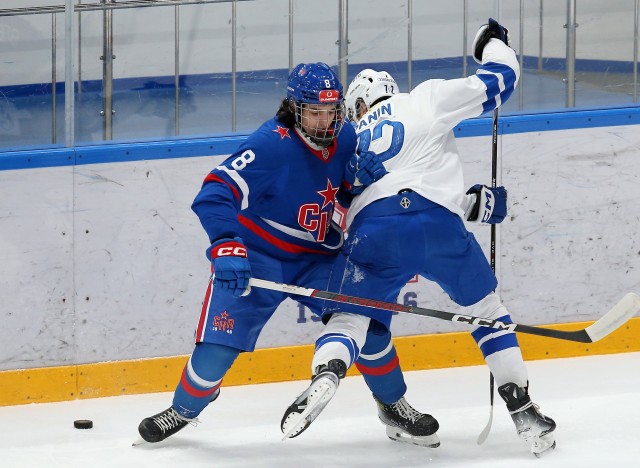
226,144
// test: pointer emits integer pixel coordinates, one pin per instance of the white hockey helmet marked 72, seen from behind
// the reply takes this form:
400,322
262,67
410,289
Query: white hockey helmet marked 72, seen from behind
369,86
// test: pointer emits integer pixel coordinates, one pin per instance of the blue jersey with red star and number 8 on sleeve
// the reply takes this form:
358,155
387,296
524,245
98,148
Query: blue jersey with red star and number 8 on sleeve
278,193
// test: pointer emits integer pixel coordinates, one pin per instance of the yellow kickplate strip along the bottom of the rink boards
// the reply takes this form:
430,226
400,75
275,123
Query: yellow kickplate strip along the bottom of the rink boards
419,352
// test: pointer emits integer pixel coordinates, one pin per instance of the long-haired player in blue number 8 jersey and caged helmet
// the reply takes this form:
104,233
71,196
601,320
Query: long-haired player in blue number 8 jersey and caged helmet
267,211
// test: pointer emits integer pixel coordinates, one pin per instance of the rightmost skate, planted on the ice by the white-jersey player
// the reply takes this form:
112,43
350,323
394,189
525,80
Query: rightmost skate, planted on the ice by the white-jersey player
533,427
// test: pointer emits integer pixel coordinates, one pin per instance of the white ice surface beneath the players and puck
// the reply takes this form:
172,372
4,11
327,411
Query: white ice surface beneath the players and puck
594,400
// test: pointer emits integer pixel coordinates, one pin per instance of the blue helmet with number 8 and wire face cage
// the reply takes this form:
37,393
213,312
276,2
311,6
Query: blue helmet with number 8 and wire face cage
314,91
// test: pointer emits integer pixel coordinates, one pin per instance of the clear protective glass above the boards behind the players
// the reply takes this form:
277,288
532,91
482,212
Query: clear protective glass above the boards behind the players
196,69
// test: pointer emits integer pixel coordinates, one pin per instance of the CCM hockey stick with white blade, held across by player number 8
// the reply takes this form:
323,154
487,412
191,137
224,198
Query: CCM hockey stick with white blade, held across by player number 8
626,308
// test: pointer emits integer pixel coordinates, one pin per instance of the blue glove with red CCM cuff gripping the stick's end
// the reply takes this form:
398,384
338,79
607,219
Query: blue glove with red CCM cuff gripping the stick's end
231,267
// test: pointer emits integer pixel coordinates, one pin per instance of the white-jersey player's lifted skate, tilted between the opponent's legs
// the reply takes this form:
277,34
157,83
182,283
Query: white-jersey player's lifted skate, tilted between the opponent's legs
310,403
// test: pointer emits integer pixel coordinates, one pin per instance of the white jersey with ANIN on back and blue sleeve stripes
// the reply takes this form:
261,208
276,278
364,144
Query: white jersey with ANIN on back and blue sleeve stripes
412,133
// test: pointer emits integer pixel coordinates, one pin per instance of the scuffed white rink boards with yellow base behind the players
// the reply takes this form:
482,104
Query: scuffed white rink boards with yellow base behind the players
104,268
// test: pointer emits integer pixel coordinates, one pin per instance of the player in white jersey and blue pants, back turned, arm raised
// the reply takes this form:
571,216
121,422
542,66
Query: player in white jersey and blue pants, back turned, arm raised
411,222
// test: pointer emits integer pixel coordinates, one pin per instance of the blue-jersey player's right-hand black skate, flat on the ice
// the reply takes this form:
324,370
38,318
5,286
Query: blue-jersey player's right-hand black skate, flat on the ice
406,424
